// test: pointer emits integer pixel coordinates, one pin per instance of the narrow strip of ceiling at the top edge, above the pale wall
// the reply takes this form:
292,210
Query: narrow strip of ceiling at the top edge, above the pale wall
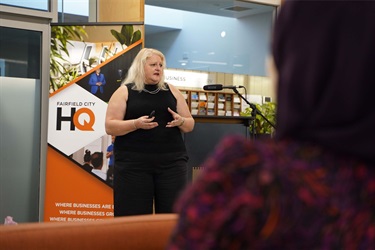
225,8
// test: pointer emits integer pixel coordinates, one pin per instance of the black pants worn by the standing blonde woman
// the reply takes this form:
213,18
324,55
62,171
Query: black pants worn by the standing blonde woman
144,180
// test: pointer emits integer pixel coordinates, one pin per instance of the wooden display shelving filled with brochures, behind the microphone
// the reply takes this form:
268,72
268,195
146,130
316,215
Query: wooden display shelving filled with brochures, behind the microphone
212,103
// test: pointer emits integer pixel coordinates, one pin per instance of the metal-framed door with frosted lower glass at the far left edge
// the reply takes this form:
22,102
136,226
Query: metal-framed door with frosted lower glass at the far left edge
24,71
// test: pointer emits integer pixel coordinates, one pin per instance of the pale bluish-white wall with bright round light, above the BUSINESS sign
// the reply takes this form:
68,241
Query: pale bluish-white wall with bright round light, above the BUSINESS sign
197,41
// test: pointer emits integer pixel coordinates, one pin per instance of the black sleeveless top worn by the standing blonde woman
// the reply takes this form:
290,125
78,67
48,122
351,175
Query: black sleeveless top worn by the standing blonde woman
157,140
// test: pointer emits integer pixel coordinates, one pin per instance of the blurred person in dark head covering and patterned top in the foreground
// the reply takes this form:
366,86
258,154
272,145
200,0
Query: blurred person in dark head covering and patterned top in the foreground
313,186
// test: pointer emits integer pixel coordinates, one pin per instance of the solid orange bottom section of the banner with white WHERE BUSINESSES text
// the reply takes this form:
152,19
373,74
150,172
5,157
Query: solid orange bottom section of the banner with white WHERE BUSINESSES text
72,194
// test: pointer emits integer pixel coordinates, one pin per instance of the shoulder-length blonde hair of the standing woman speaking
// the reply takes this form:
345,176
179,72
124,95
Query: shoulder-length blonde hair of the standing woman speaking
136,73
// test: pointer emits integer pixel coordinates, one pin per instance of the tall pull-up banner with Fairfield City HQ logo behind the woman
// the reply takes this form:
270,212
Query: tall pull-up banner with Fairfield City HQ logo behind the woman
79,92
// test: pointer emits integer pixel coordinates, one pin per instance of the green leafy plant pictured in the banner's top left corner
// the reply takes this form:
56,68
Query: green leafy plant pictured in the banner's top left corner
61,71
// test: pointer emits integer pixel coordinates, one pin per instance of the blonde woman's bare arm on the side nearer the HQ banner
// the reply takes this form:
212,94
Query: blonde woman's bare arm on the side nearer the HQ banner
114,120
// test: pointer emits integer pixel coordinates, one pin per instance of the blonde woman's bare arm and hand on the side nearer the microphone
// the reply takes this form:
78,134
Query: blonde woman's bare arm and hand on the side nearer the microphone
183,118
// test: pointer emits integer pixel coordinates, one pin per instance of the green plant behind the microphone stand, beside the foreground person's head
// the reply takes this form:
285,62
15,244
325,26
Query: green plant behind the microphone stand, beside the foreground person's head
268,110
